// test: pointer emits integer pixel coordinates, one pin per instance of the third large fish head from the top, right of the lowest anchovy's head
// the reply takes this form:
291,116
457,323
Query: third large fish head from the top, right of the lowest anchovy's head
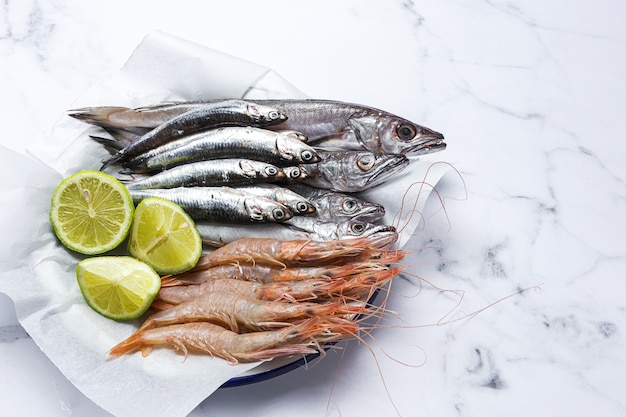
336,206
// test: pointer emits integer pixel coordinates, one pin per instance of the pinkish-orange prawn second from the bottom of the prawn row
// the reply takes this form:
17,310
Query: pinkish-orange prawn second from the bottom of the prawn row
238,312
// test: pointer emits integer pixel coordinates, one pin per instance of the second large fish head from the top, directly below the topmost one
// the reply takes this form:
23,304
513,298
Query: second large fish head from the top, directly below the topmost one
361,170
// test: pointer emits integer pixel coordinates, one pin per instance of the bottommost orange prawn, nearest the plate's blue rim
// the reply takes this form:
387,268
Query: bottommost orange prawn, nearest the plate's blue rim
303,338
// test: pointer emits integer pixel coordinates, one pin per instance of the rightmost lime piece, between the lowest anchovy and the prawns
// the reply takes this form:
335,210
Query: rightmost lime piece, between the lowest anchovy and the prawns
164,236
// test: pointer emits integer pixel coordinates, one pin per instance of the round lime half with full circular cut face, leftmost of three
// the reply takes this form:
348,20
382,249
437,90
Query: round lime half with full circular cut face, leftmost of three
91,212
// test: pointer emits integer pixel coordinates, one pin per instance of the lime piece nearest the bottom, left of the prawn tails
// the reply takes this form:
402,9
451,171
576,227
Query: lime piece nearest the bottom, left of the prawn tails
118,287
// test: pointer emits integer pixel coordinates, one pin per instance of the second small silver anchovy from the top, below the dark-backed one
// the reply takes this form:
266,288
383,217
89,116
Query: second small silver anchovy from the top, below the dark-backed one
279,148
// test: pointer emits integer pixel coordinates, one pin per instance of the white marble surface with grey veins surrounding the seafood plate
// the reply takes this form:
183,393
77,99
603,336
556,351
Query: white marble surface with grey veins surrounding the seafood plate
530,97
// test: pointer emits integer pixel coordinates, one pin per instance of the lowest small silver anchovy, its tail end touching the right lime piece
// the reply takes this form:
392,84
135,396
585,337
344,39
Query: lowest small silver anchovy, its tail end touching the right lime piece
219,204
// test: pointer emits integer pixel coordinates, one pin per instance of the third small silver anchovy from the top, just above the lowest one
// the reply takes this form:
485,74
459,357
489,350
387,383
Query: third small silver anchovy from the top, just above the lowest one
217,172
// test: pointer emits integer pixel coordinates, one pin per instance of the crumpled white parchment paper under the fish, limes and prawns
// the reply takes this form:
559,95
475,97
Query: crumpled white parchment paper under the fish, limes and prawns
39,274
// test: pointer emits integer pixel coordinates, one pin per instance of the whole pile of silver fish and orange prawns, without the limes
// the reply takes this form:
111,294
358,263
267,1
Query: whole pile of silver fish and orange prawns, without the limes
293,254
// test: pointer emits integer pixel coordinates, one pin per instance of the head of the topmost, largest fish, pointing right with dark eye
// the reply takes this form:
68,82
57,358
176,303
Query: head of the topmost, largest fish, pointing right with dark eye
385,133
